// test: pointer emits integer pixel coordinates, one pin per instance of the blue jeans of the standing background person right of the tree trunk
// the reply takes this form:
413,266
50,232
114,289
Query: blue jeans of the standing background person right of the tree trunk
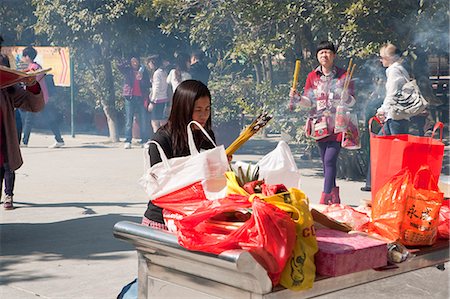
133,106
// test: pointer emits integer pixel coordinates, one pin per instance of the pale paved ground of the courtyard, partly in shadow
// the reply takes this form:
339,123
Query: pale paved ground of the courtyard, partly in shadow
58,242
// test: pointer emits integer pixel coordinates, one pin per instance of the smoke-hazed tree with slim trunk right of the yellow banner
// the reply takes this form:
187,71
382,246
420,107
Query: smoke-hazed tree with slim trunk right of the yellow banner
98,33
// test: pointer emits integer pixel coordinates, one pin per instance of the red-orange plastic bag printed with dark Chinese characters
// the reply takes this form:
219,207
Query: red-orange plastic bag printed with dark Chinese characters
421,218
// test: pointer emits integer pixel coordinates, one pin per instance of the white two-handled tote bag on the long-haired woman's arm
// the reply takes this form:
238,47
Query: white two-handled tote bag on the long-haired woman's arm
173,174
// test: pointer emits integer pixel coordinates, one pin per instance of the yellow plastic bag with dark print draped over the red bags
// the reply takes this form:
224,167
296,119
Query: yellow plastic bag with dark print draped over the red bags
300,270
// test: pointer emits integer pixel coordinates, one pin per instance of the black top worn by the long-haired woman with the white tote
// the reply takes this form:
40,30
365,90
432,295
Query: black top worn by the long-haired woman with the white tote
162,136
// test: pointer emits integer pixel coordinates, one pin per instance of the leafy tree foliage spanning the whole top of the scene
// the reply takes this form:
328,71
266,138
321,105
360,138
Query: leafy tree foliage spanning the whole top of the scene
251,44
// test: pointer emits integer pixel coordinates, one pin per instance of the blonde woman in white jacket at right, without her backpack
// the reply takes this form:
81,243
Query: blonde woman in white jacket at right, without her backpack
396,77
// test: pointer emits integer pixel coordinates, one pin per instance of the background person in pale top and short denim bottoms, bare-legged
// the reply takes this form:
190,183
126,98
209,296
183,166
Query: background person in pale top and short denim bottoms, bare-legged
159,100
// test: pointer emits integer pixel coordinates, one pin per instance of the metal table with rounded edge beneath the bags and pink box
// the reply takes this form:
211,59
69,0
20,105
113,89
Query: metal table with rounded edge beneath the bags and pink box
167,270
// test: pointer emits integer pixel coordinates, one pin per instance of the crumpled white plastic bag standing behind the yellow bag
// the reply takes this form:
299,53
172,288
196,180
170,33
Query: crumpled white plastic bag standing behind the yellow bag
278,167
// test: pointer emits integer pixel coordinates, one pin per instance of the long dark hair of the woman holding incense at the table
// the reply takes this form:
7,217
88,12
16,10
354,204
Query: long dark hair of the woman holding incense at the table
183,104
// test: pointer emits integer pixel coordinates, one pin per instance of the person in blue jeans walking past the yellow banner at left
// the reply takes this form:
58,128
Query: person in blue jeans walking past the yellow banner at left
48,114
